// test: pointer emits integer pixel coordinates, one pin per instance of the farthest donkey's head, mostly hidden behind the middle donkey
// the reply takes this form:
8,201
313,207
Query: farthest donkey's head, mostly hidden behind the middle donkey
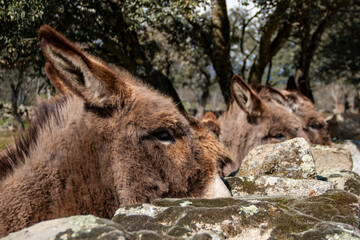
315,126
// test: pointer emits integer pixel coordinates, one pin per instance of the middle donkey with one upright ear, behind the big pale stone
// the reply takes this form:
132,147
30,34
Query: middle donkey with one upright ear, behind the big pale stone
251,121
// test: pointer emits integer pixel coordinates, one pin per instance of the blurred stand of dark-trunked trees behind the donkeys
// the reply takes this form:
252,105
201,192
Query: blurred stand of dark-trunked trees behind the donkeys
186,44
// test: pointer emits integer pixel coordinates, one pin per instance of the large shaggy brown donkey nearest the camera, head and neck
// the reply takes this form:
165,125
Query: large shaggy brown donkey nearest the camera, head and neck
112,141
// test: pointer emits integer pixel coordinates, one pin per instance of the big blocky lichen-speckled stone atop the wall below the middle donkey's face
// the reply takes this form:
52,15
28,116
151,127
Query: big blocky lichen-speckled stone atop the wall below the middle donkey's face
291,159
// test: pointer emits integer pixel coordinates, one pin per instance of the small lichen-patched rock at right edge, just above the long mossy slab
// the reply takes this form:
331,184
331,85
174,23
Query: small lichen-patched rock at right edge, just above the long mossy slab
344,180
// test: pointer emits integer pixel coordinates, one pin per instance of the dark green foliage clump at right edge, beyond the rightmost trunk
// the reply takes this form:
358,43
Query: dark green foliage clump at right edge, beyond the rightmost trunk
339,56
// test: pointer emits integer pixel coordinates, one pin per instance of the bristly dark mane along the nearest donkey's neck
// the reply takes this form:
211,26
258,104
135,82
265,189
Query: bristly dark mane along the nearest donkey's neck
16,153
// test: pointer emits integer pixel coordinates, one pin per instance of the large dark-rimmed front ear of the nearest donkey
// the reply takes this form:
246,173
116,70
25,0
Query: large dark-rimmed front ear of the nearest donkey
90,79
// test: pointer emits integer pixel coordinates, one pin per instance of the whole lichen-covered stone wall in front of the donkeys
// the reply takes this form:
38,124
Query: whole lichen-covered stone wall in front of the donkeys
282,191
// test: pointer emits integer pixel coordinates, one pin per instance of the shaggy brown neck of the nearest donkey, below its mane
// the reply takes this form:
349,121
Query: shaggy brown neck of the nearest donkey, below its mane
56,168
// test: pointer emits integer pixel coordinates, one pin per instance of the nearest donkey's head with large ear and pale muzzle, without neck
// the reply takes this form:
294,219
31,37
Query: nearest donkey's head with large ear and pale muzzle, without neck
147,147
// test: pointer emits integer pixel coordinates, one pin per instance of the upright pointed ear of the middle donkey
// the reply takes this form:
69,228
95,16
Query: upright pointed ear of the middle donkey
247,99
